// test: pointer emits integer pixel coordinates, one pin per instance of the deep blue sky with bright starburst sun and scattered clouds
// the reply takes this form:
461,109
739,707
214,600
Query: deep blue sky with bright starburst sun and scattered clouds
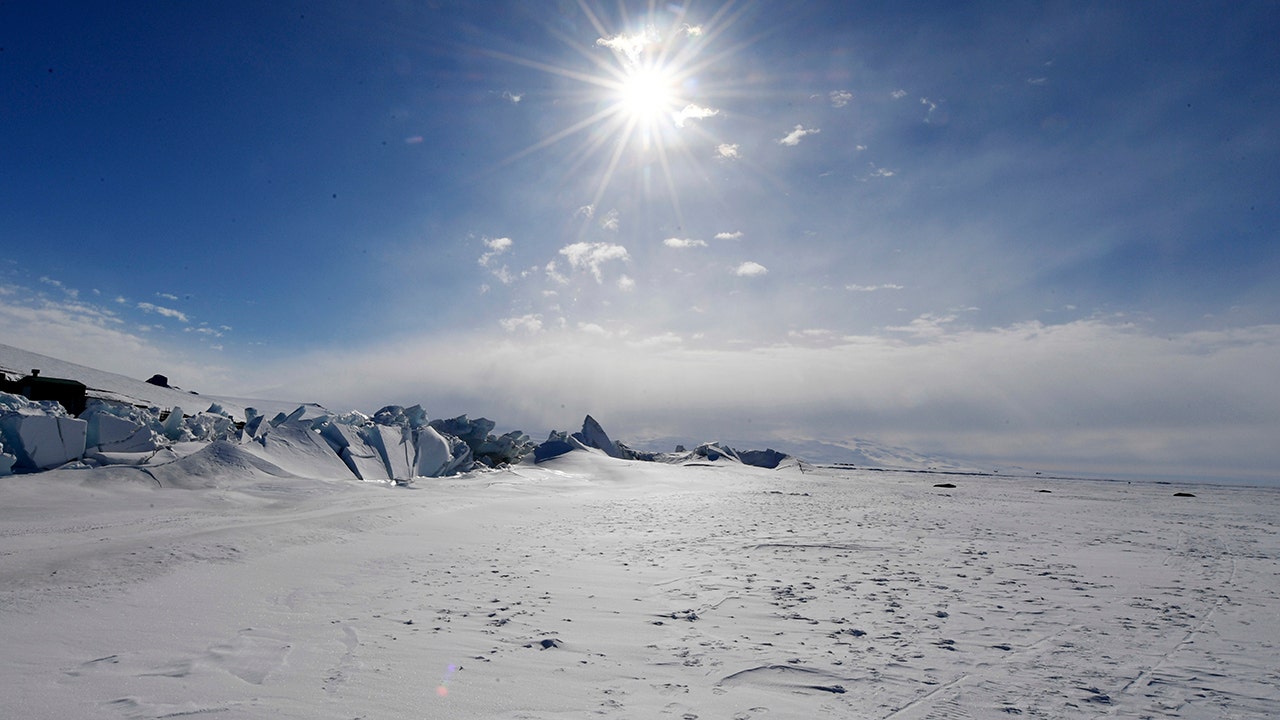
1041,234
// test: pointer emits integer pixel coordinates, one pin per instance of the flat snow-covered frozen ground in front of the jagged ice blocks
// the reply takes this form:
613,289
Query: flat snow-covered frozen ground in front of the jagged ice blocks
597,587
